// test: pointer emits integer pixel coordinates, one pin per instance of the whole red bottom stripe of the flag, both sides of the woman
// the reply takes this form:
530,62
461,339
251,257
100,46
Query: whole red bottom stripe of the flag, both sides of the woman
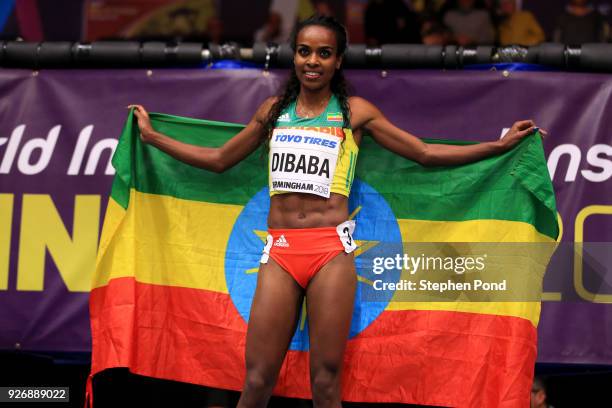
422,357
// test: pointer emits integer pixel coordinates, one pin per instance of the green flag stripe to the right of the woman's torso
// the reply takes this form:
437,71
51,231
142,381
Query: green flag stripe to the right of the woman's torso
514,186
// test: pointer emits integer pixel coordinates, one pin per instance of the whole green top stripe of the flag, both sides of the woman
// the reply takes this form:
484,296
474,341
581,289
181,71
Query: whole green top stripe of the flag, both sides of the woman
514,186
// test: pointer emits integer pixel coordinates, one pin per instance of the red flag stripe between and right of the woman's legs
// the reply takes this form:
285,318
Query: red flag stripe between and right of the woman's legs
433,358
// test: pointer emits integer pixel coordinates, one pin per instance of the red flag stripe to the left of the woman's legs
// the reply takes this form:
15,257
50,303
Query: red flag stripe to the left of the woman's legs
181,334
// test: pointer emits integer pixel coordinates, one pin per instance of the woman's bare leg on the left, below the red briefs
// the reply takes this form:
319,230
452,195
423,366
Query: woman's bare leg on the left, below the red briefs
272,322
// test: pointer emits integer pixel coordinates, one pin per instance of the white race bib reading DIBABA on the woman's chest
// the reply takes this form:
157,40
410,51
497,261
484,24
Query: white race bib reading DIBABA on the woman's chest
303,161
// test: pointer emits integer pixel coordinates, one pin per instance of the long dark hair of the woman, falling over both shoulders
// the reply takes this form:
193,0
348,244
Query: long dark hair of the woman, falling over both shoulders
291,89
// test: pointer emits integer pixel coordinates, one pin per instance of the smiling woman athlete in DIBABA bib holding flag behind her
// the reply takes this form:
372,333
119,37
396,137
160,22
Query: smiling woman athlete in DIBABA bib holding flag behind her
313,129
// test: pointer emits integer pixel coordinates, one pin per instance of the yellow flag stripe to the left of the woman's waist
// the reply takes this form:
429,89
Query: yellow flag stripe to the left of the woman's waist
163,240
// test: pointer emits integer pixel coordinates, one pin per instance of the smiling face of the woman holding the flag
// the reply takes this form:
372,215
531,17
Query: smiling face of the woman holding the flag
316,57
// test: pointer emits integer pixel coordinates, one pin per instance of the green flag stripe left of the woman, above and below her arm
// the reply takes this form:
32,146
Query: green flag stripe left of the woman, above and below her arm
157,173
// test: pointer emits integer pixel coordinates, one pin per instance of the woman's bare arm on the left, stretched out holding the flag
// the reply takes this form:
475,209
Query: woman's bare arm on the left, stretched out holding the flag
216,159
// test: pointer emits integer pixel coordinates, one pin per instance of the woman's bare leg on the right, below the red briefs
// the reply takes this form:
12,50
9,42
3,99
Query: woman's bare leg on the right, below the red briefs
329,299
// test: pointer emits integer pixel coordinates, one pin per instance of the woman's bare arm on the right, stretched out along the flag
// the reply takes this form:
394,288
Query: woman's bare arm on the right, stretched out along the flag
366,115
